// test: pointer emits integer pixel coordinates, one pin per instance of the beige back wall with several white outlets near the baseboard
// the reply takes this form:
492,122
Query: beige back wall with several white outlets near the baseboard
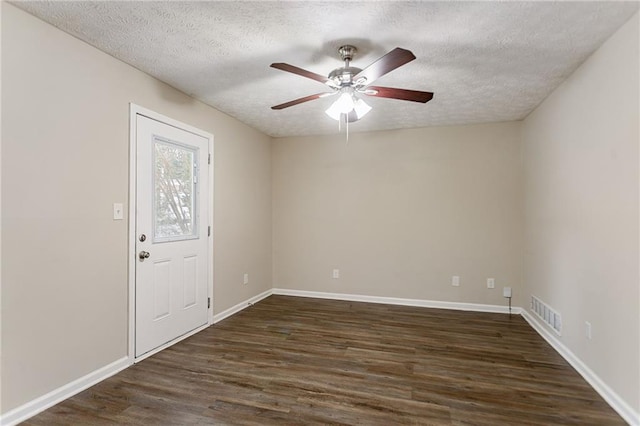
400,212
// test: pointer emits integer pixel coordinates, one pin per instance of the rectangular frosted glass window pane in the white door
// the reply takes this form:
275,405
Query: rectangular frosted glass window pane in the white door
174,181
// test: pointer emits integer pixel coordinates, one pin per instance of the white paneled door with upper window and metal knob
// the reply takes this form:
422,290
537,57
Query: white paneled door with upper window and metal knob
172,259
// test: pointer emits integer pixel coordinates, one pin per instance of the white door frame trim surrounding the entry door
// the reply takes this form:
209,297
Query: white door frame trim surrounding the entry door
135,110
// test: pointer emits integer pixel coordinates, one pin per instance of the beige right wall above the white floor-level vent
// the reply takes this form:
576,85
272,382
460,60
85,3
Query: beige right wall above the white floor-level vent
581,186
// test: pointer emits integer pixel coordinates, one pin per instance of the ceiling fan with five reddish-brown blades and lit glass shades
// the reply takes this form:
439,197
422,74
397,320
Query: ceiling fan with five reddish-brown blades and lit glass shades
350,82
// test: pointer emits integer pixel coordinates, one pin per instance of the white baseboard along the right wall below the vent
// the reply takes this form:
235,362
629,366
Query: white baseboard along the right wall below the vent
608,394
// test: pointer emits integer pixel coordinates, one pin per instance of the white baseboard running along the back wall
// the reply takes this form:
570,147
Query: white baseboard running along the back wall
397,301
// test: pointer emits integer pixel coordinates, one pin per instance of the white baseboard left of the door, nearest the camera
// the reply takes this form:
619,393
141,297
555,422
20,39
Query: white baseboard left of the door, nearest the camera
31,408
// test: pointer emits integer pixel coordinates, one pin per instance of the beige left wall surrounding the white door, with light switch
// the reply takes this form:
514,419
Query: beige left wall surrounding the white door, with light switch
65,140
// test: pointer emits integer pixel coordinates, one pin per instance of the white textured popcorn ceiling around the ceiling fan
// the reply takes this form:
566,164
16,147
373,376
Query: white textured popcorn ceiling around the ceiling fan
485,61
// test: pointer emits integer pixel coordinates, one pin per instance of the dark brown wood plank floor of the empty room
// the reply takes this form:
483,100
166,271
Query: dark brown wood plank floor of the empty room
291,360
